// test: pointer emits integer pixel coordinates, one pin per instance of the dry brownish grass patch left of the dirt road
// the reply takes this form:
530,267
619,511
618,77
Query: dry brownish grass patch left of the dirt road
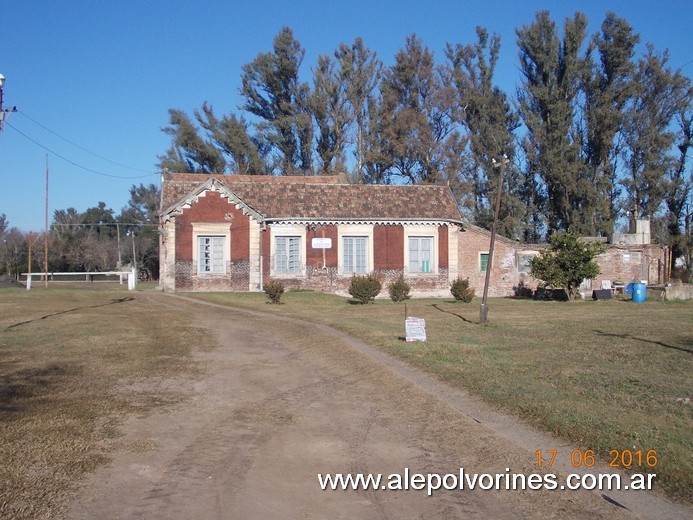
73,364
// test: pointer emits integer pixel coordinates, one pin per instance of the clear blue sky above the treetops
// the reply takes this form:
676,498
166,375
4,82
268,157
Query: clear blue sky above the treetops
93,80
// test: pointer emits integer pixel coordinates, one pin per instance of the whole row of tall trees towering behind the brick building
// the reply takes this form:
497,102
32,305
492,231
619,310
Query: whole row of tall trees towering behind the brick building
595,133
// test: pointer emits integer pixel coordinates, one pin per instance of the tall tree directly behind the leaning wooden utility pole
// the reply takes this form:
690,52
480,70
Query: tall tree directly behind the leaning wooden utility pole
490,122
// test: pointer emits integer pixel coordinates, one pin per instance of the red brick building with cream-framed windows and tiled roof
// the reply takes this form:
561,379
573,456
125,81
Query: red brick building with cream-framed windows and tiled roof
232,232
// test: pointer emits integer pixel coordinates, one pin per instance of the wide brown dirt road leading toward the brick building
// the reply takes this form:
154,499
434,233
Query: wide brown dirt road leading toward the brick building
284,401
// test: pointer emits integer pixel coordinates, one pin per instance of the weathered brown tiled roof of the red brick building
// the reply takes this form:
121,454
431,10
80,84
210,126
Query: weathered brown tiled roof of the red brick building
307,198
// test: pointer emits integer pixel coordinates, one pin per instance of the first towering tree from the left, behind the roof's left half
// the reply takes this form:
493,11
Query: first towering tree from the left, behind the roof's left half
274,93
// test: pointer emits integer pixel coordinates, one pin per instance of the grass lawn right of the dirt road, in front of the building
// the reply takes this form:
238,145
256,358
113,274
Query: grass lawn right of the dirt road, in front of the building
606,375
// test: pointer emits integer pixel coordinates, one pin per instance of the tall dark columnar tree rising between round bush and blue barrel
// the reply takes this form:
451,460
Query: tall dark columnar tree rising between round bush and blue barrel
608,86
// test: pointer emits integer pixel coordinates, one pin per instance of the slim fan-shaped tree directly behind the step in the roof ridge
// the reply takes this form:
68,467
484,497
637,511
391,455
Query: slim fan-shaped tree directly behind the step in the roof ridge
361,69
